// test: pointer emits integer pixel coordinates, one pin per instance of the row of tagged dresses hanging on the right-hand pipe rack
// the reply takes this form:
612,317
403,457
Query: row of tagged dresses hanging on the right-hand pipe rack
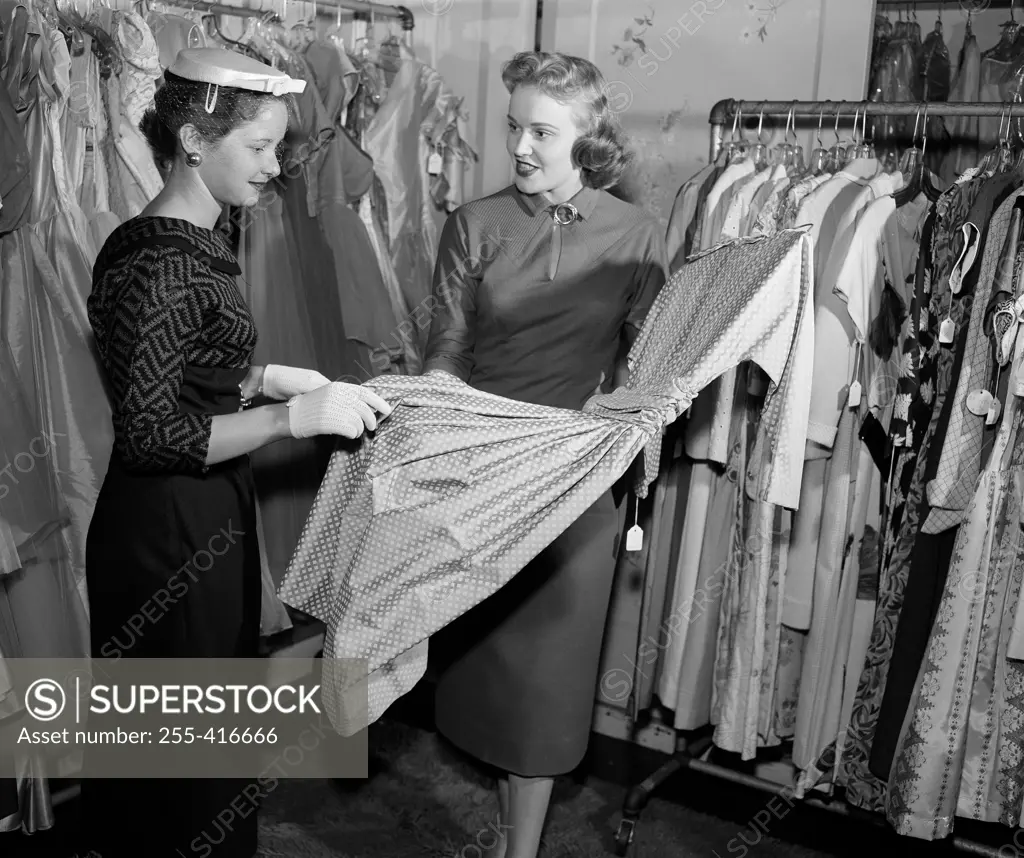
875,625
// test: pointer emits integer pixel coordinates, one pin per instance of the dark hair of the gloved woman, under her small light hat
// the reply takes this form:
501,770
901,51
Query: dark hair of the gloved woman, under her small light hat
181,102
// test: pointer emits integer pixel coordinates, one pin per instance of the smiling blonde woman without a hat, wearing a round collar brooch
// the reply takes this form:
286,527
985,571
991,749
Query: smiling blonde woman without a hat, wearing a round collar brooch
568,279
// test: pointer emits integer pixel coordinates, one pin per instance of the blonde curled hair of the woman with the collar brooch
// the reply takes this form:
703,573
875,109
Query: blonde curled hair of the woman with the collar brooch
601,152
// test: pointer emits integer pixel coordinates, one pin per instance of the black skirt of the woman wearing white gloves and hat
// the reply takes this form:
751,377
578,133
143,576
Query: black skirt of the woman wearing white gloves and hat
174,571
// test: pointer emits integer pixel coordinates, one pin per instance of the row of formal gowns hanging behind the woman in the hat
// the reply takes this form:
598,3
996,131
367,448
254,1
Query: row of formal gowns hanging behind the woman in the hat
336,258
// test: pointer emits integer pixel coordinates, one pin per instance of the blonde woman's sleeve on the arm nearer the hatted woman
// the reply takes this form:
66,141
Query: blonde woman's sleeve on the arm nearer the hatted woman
457,276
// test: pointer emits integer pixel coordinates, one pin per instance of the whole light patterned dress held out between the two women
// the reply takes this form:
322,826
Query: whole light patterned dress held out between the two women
460,489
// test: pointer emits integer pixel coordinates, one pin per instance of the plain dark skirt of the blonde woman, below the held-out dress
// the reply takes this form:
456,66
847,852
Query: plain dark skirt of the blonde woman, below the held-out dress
519,673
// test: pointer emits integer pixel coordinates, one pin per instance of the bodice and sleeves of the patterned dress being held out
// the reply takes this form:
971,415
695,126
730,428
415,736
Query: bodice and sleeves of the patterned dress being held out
757,285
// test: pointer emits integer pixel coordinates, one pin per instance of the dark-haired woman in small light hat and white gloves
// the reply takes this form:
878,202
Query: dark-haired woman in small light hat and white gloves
173,557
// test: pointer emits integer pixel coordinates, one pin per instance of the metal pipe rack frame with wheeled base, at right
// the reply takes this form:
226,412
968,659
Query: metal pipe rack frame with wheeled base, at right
691,757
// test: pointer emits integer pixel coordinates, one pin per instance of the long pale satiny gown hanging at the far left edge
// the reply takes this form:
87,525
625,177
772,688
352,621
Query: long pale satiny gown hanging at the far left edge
46,270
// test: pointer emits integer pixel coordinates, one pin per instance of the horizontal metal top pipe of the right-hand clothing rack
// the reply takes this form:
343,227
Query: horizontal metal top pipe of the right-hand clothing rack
724,112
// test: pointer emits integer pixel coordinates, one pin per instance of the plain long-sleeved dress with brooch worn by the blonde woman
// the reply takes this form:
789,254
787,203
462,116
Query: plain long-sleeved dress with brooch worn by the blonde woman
518,675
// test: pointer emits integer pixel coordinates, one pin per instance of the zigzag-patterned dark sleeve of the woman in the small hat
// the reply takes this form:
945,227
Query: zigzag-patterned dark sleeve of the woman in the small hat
158,319
